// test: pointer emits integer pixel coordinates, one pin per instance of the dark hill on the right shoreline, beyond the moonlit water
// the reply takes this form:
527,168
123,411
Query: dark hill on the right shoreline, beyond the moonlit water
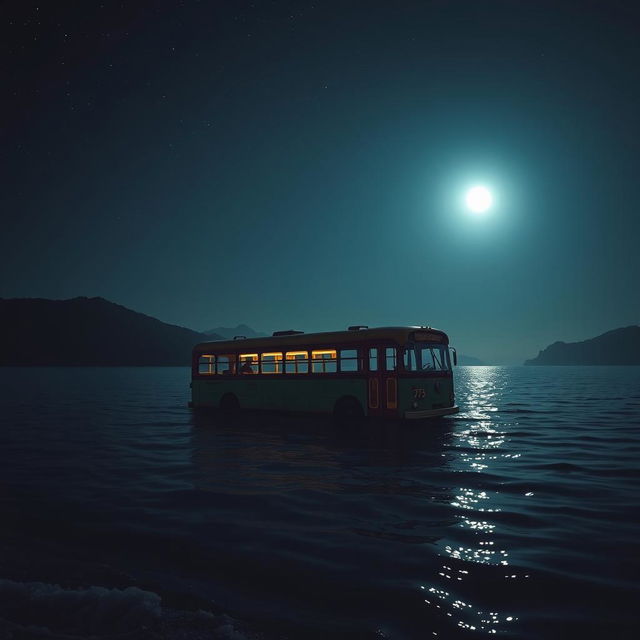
620,346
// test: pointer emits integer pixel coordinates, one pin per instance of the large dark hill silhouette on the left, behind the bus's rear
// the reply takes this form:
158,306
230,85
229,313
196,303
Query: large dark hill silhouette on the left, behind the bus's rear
89,331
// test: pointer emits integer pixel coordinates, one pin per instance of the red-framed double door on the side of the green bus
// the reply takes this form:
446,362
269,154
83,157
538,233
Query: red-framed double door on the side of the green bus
382,381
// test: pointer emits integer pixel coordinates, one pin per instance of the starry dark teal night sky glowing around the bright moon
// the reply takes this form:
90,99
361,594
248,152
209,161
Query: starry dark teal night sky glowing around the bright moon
303,165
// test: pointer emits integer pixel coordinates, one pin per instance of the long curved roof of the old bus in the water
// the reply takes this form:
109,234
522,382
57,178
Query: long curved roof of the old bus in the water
397,335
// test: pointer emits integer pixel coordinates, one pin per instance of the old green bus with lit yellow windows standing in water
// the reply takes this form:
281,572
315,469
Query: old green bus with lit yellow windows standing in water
391,372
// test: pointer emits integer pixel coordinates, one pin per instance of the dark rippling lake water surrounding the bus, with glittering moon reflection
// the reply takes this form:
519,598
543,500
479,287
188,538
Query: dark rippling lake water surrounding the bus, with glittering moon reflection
124,515
